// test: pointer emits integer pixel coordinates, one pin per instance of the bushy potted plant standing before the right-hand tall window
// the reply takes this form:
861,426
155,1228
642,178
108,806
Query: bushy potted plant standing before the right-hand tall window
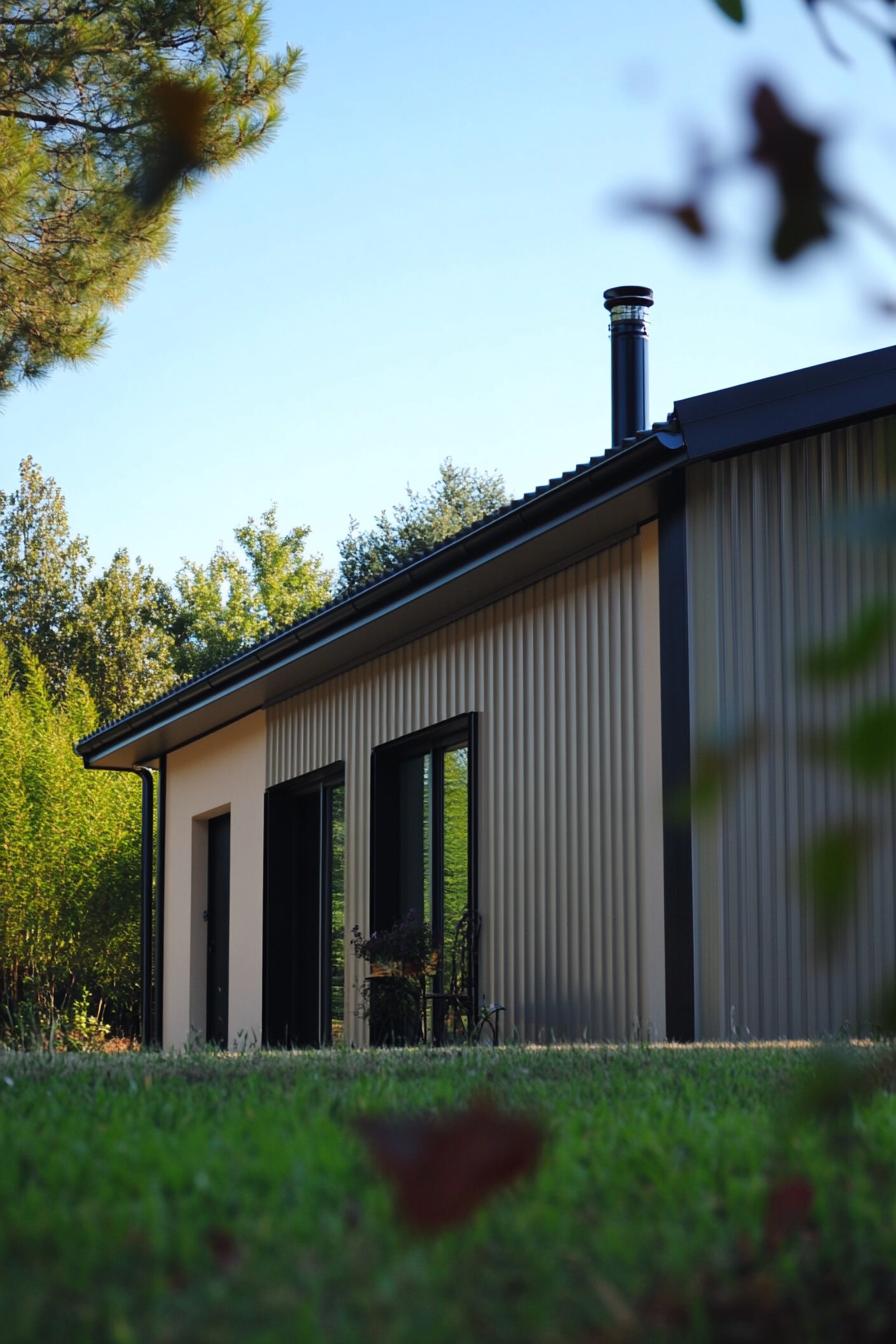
394,994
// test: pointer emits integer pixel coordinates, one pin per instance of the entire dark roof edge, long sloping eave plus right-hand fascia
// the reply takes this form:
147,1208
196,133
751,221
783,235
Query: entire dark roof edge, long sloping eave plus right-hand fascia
717,424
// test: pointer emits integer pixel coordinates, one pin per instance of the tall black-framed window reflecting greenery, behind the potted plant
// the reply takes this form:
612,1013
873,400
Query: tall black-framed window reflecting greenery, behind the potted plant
424,830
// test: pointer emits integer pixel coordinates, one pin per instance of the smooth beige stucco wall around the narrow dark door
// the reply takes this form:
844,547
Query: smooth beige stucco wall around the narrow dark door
224,772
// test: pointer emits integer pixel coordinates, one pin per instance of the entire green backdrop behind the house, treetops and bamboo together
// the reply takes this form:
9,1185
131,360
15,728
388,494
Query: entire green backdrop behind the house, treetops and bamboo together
80,647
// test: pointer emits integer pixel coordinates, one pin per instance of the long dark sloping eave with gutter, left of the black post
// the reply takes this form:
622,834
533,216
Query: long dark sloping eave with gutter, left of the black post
601,476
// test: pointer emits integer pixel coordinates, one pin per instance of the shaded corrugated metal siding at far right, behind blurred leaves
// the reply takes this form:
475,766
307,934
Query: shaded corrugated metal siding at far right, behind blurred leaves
769,579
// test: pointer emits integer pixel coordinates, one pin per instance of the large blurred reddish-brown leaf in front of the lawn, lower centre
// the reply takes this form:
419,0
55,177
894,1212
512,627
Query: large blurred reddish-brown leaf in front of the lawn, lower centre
441,1169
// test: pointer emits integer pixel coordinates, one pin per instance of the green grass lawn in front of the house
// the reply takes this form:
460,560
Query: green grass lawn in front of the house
230,1198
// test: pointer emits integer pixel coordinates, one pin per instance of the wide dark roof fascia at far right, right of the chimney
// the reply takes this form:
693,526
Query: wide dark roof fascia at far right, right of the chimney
772,411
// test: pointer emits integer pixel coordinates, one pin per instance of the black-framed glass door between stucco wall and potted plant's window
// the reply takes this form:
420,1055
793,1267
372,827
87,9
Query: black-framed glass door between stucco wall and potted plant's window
304,978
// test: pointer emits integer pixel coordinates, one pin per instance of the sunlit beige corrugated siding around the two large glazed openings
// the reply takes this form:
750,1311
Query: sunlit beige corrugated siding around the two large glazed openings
570,892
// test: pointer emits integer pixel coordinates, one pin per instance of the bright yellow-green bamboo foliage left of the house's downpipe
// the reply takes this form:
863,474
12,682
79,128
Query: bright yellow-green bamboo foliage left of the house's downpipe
69,859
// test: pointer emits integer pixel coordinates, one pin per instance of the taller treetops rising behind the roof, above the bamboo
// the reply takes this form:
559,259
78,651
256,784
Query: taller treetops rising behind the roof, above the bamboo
131,636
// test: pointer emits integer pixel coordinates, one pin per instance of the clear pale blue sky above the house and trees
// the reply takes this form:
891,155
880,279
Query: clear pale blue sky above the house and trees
414,268
